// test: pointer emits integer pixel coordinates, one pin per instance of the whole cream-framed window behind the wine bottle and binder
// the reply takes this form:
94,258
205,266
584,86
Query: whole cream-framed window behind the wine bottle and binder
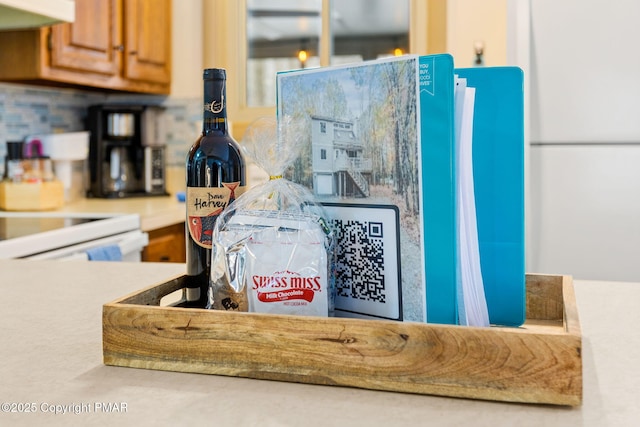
254,39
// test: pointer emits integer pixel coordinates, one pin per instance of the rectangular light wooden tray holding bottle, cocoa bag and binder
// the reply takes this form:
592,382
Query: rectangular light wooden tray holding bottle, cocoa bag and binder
539,362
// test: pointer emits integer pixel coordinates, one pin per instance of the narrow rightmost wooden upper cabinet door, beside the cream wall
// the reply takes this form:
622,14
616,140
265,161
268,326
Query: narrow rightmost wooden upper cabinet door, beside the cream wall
148,40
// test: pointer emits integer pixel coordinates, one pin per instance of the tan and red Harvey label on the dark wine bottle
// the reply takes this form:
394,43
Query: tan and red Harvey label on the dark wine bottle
204,205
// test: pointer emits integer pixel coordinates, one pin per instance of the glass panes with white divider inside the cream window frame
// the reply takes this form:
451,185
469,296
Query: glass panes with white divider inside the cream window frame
292,34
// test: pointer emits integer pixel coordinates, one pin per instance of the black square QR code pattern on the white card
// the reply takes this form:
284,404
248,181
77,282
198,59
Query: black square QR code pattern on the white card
360,260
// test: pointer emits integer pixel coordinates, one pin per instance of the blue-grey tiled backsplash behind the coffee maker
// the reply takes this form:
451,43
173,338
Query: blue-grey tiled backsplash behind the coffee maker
29,110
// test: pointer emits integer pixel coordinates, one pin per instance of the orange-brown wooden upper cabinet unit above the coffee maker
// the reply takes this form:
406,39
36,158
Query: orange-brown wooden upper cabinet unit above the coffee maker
122,45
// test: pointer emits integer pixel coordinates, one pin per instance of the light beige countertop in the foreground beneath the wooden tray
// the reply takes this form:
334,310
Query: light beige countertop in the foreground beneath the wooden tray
51,357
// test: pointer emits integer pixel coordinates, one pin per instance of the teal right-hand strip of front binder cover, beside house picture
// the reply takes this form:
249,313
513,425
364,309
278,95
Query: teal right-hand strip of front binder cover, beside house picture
439,186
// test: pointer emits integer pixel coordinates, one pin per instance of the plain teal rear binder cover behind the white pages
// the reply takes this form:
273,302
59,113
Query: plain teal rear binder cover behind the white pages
498,162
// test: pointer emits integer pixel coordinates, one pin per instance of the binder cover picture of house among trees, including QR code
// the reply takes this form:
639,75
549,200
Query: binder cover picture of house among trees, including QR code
360,145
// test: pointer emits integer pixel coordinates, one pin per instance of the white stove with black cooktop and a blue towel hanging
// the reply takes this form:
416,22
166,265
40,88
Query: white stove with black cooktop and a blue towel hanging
68,236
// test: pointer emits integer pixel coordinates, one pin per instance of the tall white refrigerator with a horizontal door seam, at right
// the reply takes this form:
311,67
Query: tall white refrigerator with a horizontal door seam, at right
584,204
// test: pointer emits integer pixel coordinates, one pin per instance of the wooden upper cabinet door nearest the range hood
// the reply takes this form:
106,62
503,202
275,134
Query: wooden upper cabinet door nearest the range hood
93,42
